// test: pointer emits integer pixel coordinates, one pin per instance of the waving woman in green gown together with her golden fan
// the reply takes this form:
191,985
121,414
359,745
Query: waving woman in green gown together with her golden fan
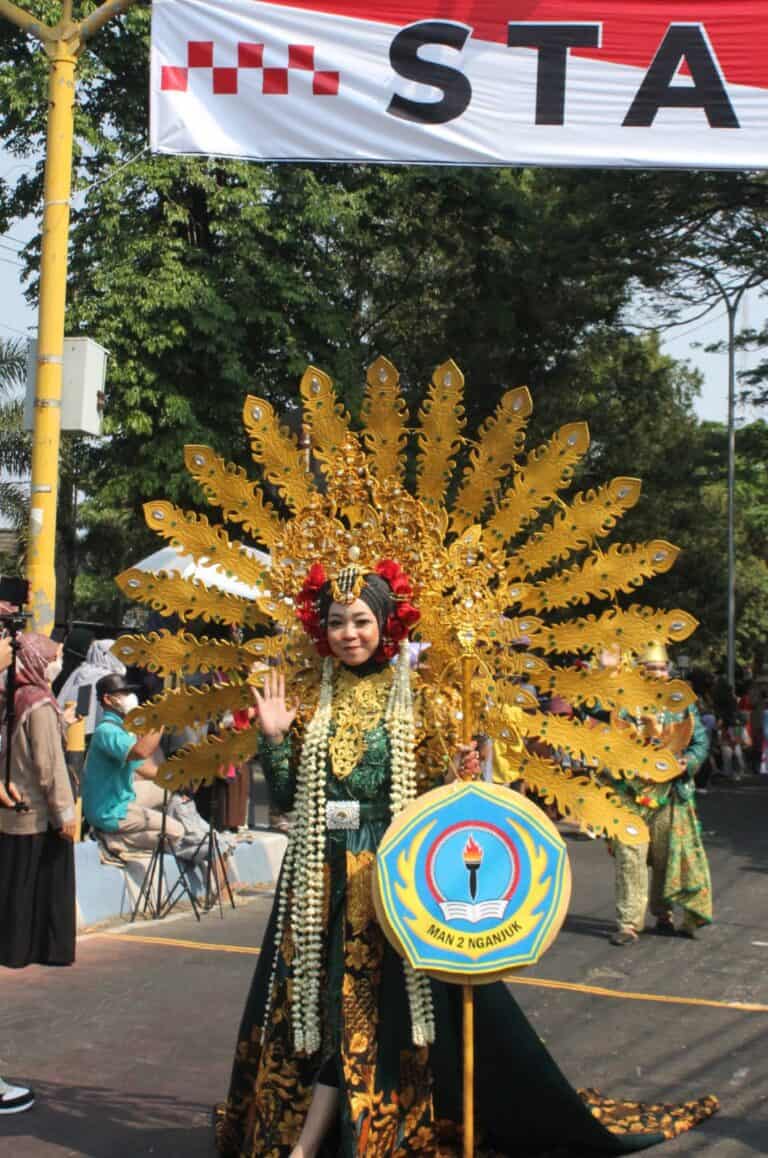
340,1035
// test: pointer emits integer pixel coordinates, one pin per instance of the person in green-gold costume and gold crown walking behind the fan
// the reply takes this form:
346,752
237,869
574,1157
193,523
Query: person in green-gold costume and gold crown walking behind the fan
676,854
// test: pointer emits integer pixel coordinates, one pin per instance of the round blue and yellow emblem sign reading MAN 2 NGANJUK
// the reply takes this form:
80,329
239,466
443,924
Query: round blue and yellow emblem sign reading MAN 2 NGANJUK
472,881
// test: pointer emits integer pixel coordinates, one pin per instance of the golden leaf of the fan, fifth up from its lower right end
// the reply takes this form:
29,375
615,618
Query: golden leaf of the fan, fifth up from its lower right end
621,568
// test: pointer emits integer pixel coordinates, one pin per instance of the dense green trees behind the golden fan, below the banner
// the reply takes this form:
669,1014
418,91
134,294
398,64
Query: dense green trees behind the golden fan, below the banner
210,280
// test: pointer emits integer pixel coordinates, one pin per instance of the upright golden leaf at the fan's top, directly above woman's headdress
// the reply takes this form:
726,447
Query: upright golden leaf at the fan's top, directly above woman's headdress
385,420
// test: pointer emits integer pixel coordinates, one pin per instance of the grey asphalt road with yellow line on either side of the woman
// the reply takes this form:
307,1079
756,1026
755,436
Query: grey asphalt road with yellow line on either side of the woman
130,1047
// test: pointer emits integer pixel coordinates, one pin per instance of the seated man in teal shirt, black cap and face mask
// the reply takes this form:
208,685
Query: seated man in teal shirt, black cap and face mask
120,798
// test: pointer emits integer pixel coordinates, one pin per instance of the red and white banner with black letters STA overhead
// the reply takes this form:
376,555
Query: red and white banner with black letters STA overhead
682,84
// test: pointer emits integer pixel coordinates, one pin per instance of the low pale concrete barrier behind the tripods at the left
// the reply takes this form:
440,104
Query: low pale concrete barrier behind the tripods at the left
108,893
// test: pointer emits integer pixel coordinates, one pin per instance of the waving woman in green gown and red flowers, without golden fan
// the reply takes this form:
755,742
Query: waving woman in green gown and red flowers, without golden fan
342,1049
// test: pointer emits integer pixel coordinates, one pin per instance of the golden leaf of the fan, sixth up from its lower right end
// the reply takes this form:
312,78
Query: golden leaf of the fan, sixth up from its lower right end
591,516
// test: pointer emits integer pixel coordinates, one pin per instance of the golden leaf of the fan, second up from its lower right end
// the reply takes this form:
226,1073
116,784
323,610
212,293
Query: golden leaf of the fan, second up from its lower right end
602,746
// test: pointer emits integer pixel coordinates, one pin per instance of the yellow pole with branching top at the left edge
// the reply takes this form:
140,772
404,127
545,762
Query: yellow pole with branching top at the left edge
63,45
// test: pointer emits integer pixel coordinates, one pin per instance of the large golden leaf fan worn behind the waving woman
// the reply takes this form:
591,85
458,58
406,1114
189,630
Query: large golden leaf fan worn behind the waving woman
503,573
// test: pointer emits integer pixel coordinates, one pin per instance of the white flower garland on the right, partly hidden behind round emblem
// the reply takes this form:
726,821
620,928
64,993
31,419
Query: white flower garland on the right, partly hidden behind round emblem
401,730
